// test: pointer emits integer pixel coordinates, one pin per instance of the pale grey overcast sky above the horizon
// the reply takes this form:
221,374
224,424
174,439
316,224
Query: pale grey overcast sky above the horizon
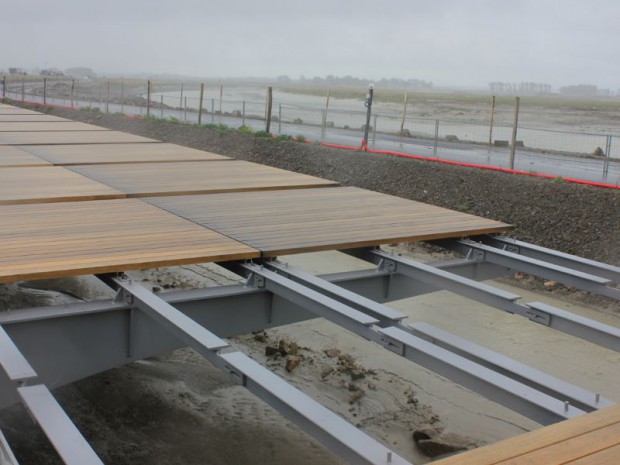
449,42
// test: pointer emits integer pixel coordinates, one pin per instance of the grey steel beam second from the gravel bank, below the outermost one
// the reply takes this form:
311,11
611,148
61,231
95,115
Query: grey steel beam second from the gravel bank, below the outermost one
579,279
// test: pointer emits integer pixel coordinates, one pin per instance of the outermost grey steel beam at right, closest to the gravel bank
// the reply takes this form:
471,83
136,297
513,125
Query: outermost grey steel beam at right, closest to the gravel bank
553,256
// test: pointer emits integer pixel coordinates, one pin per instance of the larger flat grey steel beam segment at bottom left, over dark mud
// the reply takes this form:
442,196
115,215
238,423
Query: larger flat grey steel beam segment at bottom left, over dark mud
60,430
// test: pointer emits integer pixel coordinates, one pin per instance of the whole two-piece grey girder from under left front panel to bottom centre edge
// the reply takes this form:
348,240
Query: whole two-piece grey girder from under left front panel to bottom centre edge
339,435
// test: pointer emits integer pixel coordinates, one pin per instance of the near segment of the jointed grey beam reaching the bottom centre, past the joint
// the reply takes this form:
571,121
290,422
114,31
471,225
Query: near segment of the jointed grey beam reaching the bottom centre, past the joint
330,429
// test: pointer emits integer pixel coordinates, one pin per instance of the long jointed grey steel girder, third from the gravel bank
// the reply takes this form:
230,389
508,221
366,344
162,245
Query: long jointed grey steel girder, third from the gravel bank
585,328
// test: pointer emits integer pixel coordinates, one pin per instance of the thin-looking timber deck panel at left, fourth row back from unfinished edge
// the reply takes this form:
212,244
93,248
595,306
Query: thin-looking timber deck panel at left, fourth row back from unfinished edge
69,137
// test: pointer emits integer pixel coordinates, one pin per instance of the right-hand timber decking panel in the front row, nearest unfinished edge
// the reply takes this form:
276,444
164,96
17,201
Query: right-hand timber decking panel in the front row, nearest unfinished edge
279,223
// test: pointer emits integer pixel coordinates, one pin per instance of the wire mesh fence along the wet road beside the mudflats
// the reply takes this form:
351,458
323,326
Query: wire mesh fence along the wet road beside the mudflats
238,107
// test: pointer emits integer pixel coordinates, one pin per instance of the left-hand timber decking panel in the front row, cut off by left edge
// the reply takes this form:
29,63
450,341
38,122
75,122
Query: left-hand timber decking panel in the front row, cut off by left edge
74,238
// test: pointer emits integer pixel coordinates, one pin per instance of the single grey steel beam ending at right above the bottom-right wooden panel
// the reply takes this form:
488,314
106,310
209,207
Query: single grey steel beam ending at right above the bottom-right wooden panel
550,385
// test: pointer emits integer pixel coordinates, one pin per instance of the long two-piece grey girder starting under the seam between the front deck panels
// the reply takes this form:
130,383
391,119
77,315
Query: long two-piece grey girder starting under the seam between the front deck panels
517,396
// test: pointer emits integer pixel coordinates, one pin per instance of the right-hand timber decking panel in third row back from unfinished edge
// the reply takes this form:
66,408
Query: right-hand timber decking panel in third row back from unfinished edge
94,154
